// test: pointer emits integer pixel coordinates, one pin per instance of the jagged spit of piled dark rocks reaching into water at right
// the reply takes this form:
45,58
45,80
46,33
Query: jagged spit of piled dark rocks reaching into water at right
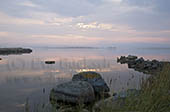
140,64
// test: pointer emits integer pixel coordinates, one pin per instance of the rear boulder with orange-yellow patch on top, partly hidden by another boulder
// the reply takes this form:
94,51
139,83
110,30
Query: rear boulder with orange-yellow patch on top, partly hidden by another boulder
94,79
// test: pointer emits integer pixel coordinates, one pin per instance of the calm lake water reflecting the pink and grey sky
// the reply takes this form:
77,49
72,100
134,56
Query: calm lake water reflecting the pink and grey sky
23,77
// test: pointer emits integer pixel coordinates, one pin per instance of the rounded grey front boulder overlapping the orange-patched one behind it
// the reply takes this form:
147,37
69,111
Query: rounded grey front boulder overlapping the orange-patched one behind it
73,92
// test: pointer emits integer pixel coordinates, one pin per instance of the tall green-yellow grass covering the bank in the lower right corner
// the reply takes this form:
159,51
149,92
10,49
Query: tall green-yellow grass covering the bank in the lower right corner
154,96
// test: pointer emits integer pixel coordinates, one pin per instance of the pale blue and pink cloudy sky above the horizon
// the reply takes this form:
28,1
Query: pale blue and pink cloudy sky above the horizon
85,23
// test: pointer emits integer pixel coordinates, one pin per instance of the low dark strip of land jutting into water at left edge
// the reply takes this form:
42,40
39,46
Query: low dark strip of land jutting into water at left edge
9,51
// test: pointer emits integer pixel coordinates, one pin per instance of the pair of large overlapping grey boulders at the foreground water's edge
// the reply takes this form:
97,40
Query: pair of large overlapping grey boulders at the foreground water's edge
85,88
